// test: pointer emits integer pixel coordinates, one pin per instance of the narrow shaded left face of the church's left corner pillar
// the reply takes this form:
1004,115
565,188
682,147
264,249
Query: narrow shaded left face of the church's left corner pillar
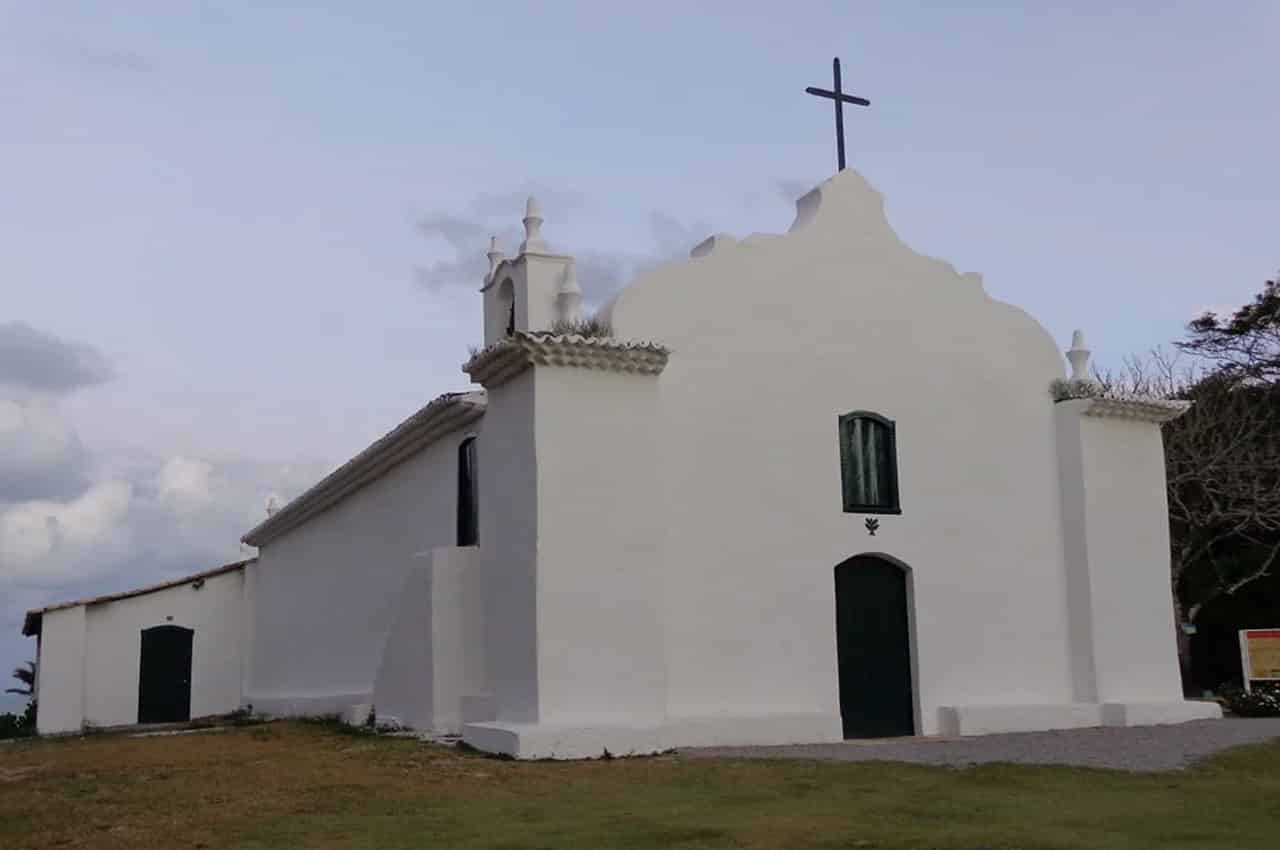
509,549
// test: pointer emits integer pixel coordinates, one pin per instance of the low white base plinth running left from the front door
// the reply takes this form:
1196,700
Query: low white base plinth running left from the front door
568,742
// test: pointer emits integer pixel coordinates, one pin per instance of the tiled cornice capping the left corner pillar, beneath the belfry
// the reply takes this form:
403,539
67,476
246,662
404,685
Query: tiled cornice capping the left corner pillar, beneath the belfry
504,360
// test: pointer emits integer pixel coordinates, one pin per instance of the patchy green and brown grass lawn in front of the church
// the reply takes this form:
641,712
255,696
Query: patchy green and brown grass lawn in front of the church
298,785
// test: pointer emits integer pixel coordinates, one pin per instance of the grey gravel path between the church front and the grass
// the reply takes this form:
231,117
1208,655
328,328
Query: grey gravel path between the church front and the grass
1136,748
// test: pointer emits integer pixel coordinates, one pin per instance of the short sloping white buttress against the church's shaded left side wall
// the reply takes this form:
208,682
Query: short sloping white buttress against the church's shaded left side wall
435,655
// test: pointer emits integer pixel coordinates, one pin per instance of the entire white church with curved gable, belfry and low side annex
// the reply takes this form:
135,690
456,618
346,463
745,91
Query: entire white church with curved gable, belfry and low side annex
807,487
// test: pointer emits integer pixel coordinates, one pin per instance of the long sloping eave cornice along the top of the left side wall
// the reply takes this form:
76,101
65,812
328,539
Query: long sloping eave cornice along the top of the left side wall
442,417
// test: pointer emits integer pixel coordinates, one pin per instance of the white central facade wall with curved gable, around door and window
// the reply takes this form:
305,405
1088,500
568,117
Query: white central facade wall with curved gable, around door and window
772,340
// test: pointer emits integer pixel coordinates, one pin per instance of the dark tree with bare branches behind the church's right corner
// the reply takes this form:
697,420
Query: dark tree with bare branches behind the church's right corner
1222,458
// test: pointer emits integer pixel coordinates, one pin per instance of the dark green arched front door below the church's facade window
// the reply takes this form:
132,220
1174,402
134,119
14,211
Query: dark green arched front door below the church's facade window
874,648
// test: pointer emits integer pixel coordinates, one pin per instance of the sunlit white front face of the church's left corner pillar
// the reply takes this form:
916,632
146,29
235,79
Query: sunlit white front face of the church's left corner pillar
601,650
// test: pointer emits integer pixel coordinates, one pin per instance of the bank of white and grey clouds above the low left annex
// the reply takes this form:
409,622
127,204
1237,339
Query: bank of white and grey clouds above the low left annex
79,524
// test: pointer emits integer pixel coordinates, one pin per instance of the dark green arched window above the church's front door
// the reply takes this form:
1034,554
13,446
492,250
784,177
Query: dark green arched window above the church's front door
868,464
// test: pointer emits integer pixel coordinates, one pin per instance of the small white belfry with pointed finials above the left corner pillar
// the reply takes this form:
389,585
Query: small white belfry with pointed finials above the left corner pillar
532,291
